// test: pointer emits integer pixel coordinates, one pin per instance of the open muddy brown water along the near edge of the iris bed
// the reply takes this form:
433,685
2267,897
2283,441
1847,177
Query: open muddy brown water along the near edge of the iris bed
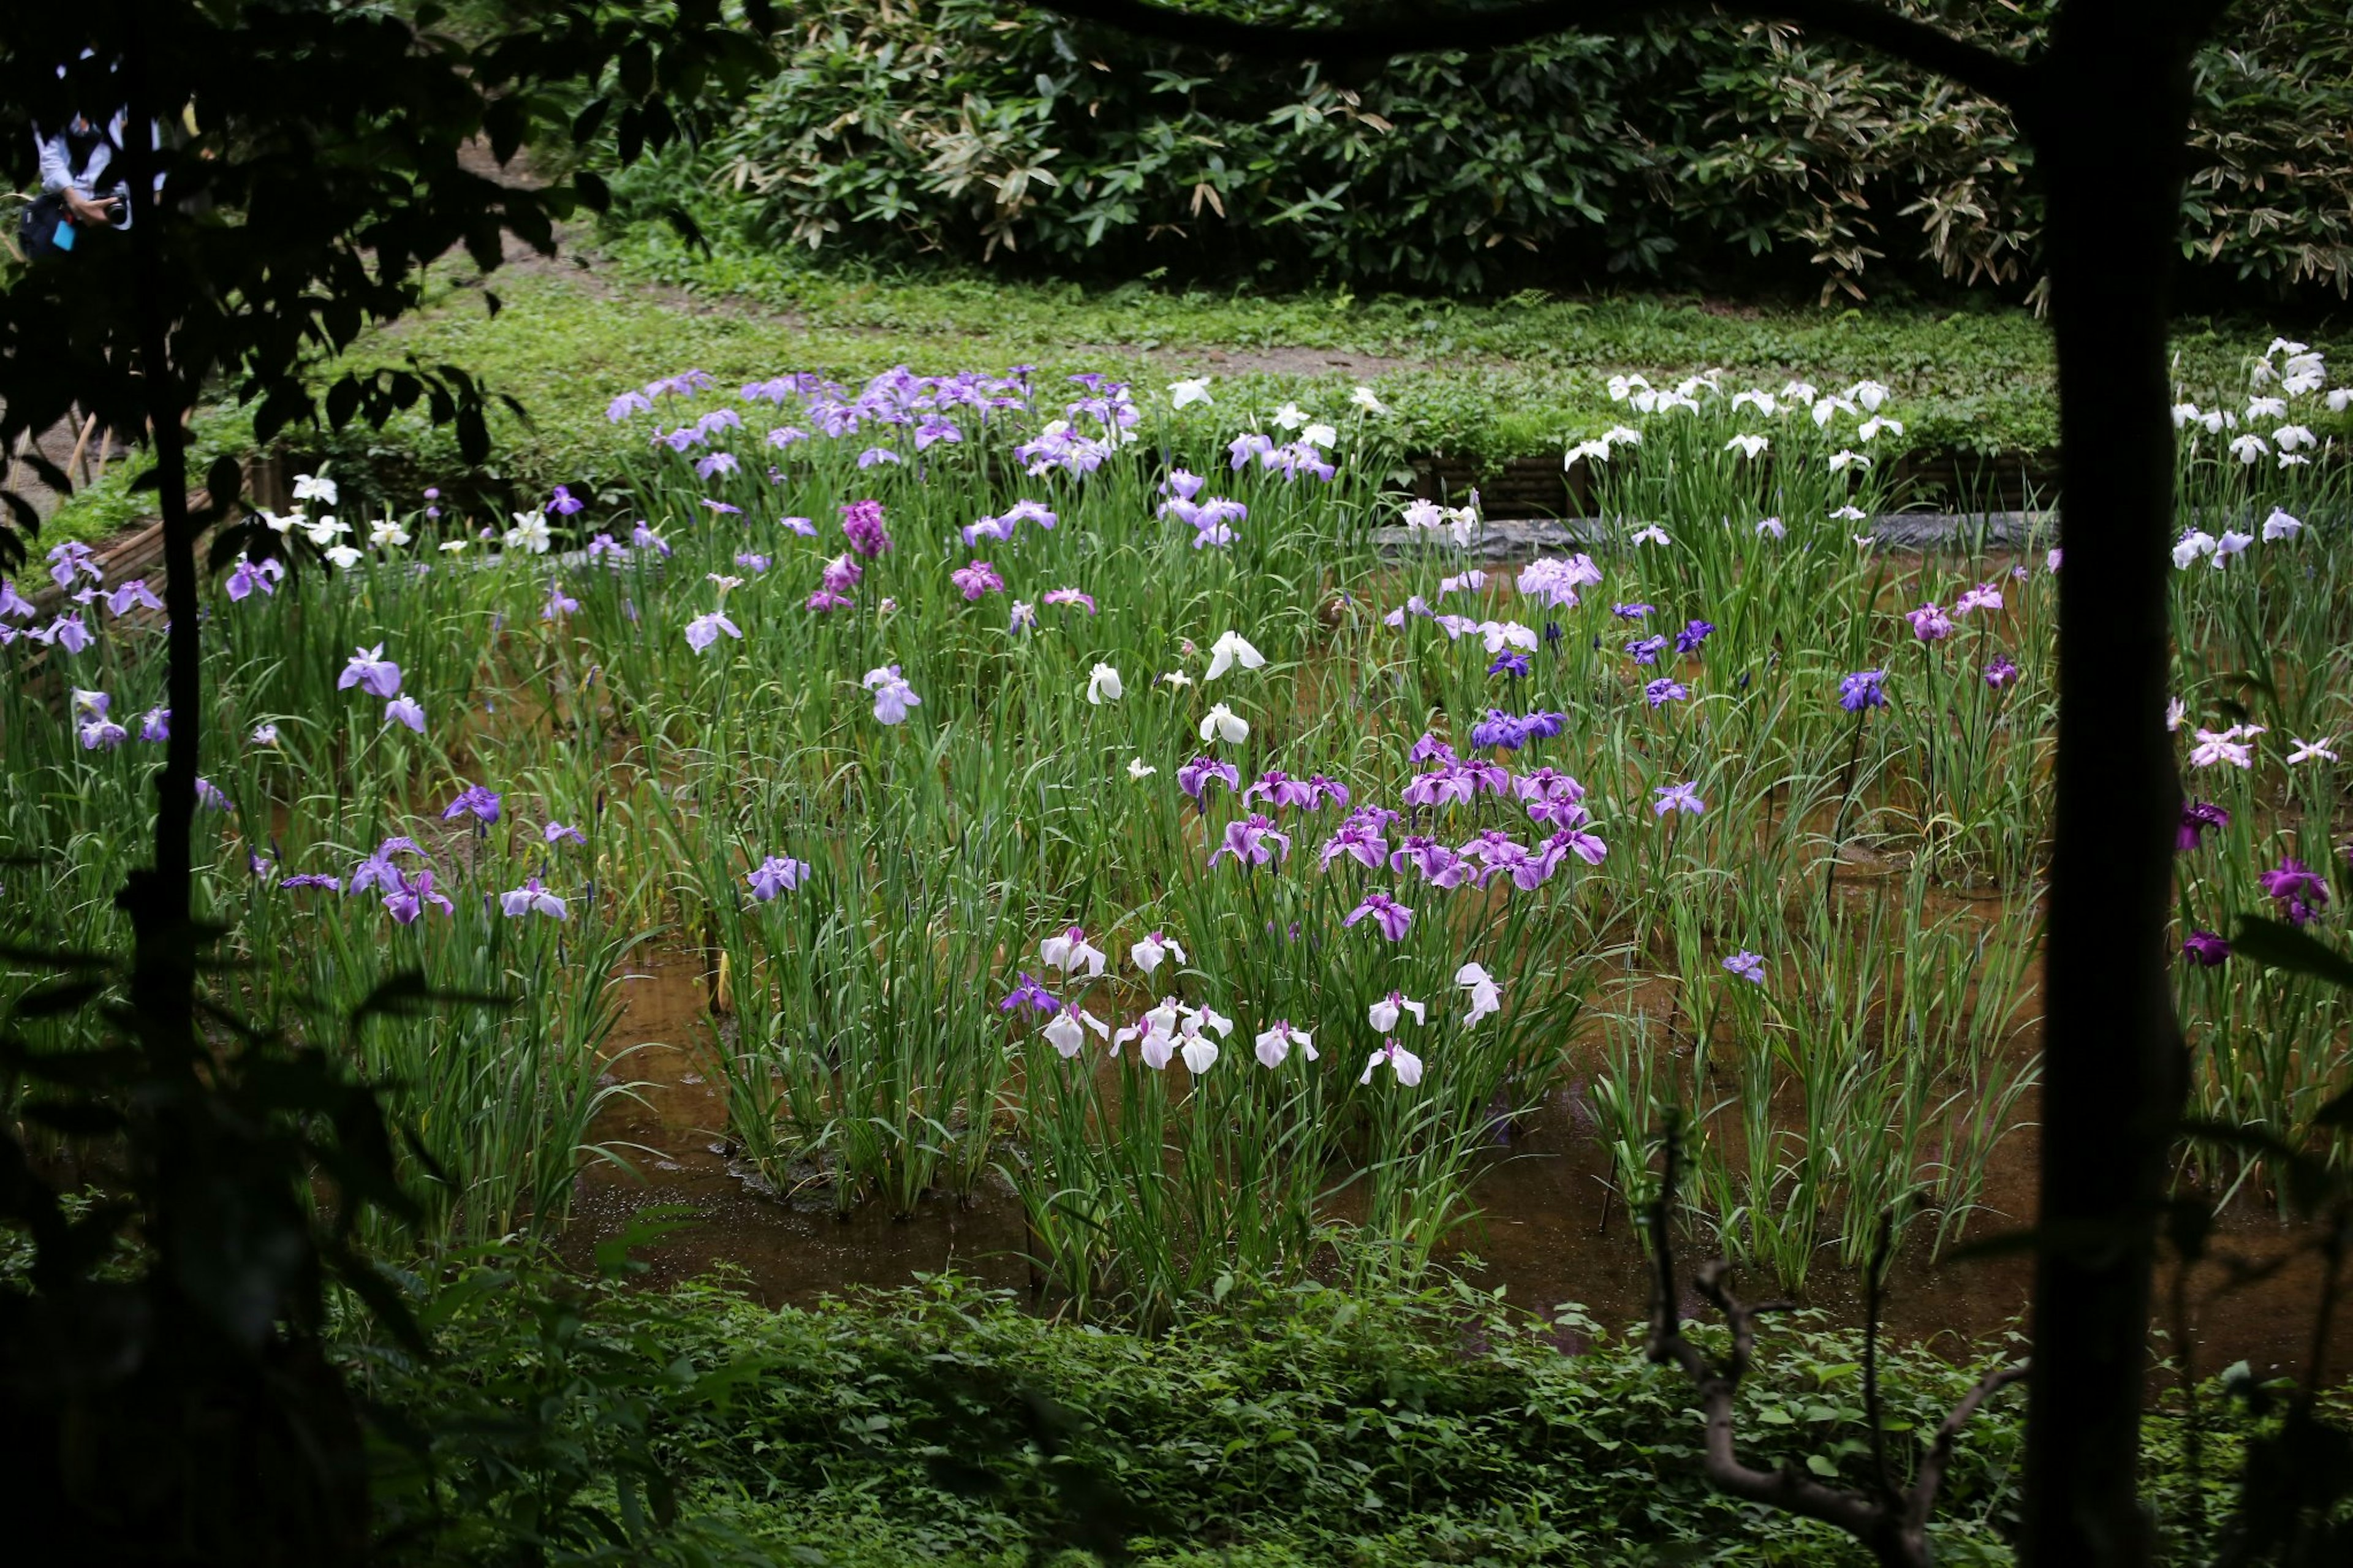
1549,1233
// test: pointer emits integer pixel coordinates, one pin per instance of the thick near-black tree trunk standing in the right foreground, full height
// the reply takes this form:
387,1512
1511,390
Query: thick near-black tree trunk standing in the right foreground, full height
2109,138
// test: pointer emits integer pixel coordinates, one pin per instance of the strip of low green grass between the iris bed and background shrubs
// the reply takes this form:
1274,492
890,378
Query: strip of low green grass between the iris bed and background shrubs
1481,380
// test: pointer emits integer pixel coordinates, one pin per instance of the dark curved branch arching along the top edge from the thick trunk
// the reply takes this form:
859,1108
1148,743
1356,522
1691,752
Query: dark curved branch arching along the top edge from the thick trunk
1425,29
